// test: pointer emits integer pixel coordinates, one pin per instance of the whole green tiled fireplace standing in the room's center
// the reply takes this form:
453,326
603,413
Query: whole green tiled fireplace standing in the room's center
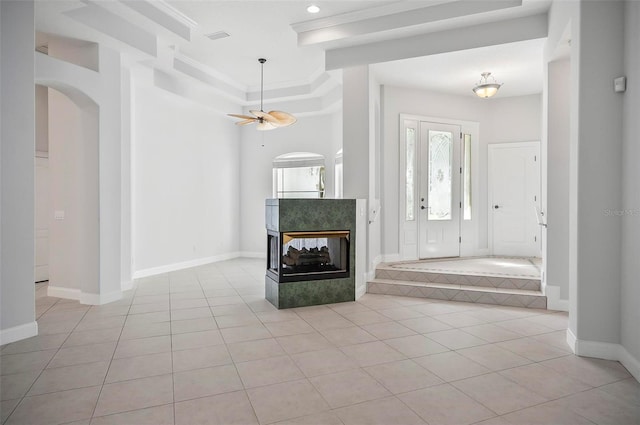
310,251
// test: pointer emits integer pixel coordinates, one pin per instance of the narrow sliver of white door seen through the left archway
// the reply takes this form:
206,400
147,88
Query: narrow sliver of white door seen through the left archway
42,202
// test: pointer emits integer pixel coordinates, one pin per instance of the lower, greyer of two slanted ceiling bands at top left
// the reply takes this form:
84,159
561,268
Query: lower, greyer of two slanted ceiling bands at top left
114,26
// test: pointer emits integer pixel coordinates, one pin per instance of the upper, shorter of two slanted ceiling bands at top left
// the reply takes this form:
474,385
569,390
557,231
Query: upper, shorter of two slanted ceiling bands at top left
165,15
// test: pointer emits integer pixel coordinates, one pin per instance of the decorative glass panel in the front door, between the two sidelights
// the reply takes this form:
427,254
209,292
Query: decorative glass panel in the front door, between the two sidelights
440,193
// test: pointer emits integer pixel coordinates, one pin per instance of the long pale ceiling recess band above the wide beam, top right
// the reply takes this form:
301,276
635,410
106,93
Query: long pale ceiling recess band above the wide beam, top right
408,18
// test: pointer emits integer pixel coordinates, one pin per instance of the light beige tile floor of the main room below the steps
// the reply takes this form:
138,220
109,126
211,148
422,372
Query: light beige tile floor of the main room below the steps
202,346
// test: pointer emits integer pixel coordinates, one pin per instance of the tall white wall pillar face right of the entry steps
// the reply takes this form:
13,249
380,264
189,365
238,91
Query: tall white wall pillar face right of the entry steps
598,164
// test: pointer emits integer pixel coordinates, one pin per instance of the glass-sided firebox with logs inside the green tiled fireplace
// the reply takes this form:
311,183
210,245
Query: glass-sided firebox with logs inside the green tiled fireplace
308,255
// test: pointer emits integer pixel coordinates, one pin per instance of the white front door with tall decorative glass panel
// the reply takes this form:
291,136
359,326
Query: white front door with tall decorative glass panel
439,190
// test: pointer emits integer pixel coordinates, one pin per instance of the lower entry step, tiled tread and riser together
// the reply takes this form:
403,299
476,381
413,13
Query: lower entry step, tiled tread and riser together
455,292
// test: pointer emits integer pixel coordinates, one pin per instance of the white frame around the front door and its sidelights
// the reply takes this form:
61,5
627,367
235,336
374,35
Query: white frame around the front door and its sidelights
408,230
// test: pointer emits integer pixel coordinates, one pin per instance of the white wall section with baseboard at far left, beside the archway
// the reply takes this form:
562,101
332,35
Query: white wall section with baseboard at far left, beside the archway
17,117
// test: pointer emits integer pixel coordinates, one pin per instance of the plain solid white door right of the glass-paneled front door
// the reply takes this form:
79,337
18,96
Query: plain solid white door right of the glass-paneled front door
514,193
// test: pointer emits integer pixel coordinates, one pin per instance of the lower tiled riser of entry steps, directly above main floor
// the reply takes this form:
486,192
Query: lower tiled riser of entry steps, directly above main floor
496,298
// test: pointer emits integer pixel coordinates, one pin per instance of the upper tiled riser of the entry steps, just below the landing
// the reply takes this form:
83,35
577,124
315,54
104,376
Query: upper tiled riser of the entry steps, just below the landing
458,279
